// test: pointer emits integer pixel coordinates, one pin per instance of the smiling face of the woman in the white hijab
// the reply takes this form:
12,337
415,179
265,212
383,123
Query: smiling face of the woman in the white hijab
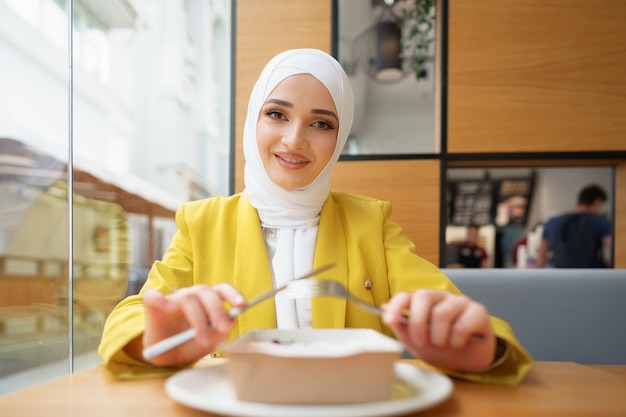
297,131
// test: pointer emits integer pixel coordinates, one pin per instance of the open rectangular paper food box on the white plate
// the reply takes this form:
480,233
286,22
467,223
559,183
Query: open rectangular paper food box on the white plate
313,366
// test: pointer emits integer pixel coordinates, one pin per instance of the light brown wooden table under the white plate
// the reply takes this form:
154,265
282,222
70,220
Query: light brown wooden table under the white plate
550,389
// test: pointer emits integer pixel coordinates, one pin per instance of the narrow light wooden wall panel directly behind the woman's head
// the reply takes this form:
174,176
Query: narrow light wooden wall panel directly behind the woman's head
263,29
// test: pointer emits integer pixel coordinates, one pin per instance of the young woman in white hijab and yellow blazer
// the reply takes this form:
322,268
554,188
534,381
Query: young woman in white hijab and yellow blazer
286,222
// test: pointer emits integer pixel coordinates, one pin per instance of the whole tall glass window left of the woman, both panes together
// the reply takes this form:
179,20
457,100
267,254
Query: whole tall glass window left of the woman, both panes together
150,129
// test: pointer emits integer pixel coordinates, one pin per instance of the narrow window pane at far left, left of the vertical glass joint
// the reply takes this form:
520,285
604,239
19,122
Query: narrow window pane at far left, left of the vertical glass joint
33,189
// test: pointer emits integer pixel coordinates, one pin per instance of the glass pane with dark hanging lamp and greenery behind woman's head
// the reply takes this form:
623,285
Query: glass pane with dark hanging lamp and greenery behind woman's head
395,100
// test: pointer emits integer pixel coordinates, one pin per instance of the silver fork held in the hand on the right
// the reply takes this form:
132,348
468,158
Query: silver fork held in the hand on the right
324,287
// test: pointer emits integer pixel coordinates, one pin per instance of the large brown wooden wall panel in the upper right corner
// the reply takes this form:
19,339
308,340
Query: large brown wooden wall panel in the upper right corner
536,75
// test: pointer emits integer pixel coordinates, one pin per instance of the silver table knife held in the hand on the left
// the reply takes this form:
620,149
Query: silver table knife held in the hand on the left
178,339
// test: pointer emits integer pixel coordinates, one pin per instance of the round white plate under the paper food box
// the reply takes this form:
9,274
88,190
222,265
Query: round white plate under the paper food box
209,389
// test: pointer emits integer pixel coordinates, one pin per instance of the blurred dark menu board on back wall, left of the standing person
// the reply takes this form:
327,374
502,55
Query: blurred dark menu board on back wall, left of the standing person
501,202
